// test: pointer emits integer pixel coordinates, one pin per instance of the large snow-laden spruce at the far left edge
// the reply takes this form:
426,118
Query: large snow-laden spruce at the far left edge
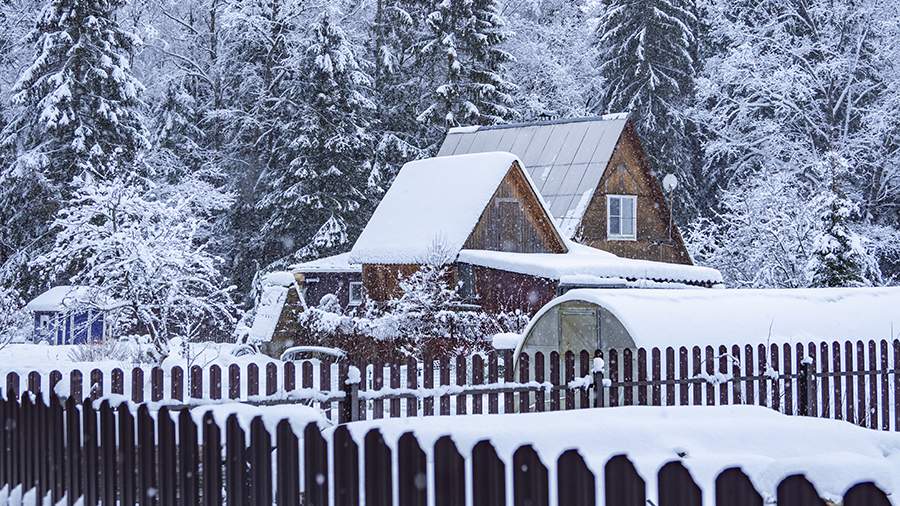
77,114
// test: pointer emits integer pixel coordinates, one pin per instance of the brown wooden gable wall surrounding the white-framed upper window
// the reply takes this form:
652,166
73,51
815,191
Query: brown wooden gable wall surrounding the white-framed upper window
628,173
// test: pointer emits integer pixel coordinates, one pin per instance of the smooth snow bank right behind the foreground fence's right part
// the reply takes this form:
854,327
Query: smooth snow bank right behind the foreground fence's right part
766,445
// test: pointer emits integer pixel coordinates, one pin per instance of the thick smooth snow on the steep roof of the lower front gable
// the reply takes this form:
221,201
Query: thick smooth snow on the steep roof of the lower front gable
435,201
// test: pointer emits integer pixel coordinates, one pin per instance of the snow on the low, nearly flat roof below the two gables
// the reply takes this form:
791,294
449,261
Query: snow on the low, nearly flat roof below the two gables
586,265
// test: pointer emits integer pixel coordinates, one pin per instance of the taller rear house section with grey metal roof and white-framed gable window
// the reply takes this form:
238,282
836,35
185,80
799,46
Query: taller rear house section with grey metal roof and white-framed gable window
594,176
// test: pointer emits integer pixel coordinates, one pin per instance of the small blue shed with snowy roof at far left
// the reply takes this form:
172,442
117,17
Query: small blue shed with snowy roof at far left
68,315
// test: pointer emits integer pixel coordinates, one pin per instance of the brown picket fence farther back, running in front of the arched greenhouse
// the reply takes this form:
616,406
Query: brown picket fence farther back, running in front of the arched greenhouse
853,381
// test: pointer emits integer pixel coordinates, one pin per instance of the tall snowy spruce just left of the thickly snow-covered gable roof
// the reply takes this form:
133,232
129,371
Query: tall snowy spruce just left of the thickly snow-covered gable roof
320,200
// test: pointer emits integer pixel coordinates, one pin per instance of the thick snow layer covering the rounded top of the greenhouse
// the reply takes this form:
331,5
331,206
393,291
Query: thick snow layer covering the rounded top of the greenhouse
747,316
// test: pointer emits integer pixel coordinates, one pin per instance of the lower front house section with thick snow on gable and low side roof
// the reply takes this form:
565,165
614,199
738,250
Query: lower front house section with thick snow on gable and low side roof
482,214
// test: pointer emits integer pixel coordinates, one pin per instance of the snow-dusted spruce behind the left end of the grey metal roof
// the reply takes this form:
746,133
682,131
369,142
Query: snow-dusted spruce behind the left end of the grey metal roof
471,87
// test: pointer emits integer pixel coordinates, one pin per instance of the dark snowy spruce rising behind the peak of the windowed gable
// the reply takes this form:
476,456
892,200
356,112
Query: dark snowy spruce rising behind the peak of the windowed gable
646,61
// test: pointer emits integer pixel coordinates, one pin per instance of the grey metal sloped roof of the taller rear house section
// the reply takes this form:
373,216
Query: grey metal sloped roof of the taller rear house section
565,158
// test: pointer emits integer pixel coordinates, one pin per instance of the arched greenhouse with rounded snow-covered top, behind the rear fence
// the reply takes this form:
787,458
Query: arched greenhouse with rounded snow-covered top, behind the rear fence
590,319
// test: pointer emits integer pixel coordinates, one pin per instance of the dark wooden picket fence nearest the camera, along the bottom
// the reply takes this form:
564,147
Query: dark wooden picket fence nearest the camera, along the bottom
134,456
